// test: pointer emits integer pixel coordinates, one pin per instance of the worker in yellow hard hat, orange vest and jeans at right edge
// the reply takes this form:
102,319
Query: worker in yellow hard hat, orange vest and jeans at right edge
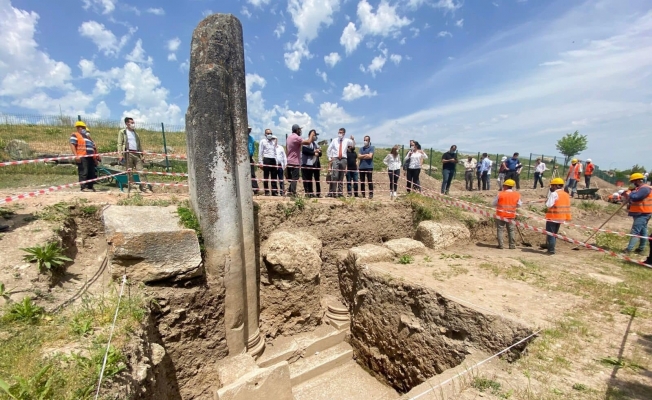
640,209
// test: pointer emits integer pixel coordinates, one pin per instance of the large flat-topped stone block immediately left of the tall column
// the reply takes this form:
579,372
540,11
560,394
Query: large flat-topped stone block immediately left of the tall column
149,245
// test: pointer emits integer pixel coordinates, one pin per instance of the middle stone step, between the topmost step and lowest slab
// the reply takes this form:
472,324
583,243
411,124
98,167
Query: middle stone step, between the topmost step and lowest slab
320,362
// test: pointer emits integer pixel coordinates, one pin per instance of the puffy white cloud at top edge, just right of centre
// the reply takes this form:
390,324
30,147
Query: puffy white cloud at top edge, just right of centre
384,22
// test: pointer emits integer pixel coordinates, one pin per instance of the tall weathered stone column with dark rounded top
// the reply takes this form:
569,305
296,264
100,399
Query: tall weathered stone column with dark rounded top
220,175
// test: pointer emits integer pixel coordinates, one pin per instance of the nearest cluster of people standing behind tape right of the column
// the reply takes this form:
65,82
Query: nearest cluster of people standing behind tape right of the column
303,158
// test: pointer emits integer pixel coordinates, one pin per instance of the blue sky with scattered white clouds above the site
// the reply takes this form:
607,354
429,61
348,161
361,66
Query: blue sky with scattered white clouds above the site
495,76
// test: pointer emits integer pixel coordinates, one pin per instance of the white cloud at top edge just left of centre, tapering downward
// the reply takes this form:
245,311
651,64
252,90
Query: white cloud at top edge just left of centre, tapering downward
308,16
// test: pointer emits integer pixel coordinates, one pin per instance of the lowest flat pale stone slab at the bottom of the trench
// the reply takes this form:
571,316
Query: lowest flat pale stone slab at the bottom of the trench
349,381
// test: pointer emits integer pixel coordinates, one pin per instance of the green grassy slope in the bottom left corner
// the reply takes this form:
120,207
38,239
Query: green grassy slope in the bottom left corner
31,367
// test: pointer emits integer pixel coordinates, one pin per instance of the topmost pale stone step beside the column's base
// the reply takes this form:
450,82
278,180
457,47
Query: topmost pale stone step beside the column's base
292,348
